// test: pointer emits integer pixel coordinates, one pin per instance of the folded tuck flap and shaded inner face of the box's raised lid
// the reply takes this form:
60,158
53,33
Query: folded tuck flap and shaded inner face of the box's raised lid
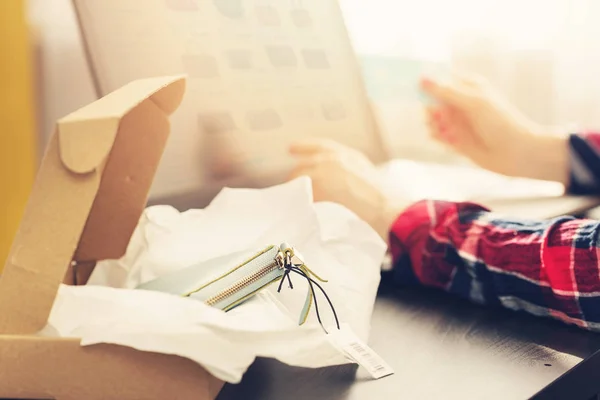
128,172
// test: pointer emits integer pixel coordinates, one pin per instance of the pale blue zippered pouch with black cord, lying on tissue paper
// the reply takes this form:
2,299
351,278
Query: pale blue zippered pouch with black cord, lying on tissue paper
219,285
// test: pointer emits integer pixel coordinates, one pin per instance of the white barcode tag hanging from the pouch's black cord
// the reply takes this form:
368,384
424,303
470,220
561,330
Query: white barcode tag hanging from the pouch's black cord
358,351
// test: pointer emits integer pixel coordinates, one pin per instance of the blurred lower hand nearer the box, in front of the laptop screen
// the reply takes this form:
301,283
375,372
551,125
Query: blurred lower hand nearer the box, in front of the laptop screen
345,176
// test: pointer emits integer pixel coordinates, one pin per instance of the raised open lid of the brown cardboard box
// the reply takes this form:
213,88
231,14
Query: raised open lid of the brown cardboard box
90,191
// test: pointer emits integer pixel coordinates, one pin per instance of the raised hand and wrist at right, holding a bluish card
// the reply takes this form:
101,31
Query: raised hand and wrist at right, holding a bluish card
477,122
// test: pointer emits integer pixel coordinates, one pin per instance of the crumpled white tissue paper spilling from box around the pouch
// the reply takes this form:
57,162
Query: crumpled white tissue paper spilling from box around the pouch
334,242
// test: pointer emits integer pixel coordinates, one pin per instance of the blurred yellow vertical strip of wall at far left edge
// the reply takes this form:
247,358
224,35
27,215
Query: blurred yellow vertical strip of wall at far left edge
17,131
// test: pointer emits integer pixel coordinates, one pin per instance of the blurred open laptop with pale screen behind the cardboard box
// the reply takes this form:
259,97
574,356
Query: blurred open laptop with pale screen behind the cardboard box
262,74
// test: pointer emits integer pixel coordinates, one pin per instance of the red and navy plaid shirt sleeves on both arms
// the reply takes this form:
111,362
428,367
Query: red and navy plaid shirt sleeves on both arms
547,268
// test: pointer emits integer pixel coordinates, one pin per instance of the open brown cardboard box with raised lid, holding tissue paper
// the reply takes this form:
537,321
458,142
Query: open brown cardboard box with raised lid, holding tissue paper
91,189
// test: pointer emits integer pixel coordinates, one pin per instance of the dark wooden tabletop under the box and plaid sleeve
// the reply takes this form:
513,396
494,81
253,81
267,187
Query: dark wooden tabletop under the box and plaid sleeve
444,347
